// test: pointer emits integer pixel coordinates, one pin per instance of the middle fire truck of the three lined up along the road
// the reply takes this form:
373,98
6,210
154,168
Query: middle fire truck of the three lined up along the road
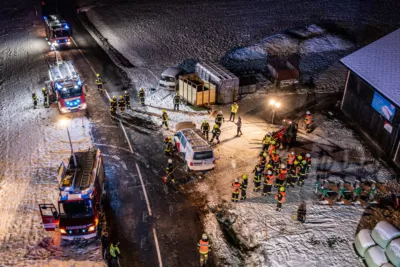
65,87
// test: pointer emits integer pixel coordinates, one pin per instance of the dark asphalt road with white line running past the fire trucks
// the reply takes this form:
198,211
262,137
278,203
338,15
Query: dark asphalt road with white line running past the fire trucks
174,219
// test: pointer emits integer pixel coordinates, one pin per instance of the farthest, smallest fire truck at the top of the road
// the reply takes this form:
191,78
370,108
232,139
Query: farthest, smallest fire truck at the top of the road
58,31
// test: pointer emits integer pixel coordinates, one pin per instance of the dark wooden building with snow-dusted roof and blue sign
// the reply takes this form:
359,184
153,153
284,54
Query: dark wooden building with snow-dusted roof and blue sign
372,93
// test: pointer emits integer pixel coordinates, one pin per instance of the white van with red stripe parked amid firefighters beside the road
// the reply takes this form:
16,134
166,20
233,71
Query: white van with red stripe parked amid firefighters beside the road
196,151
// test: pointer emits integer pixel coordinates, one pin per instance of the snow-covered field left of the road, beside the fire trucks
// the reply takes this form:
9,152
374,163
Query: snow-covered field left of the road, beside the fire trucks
33,143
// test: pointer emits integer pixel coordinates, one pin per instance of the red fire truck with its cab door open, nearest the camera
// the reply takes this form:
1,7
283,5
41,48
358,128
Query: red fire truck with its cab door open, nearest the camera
81,185
